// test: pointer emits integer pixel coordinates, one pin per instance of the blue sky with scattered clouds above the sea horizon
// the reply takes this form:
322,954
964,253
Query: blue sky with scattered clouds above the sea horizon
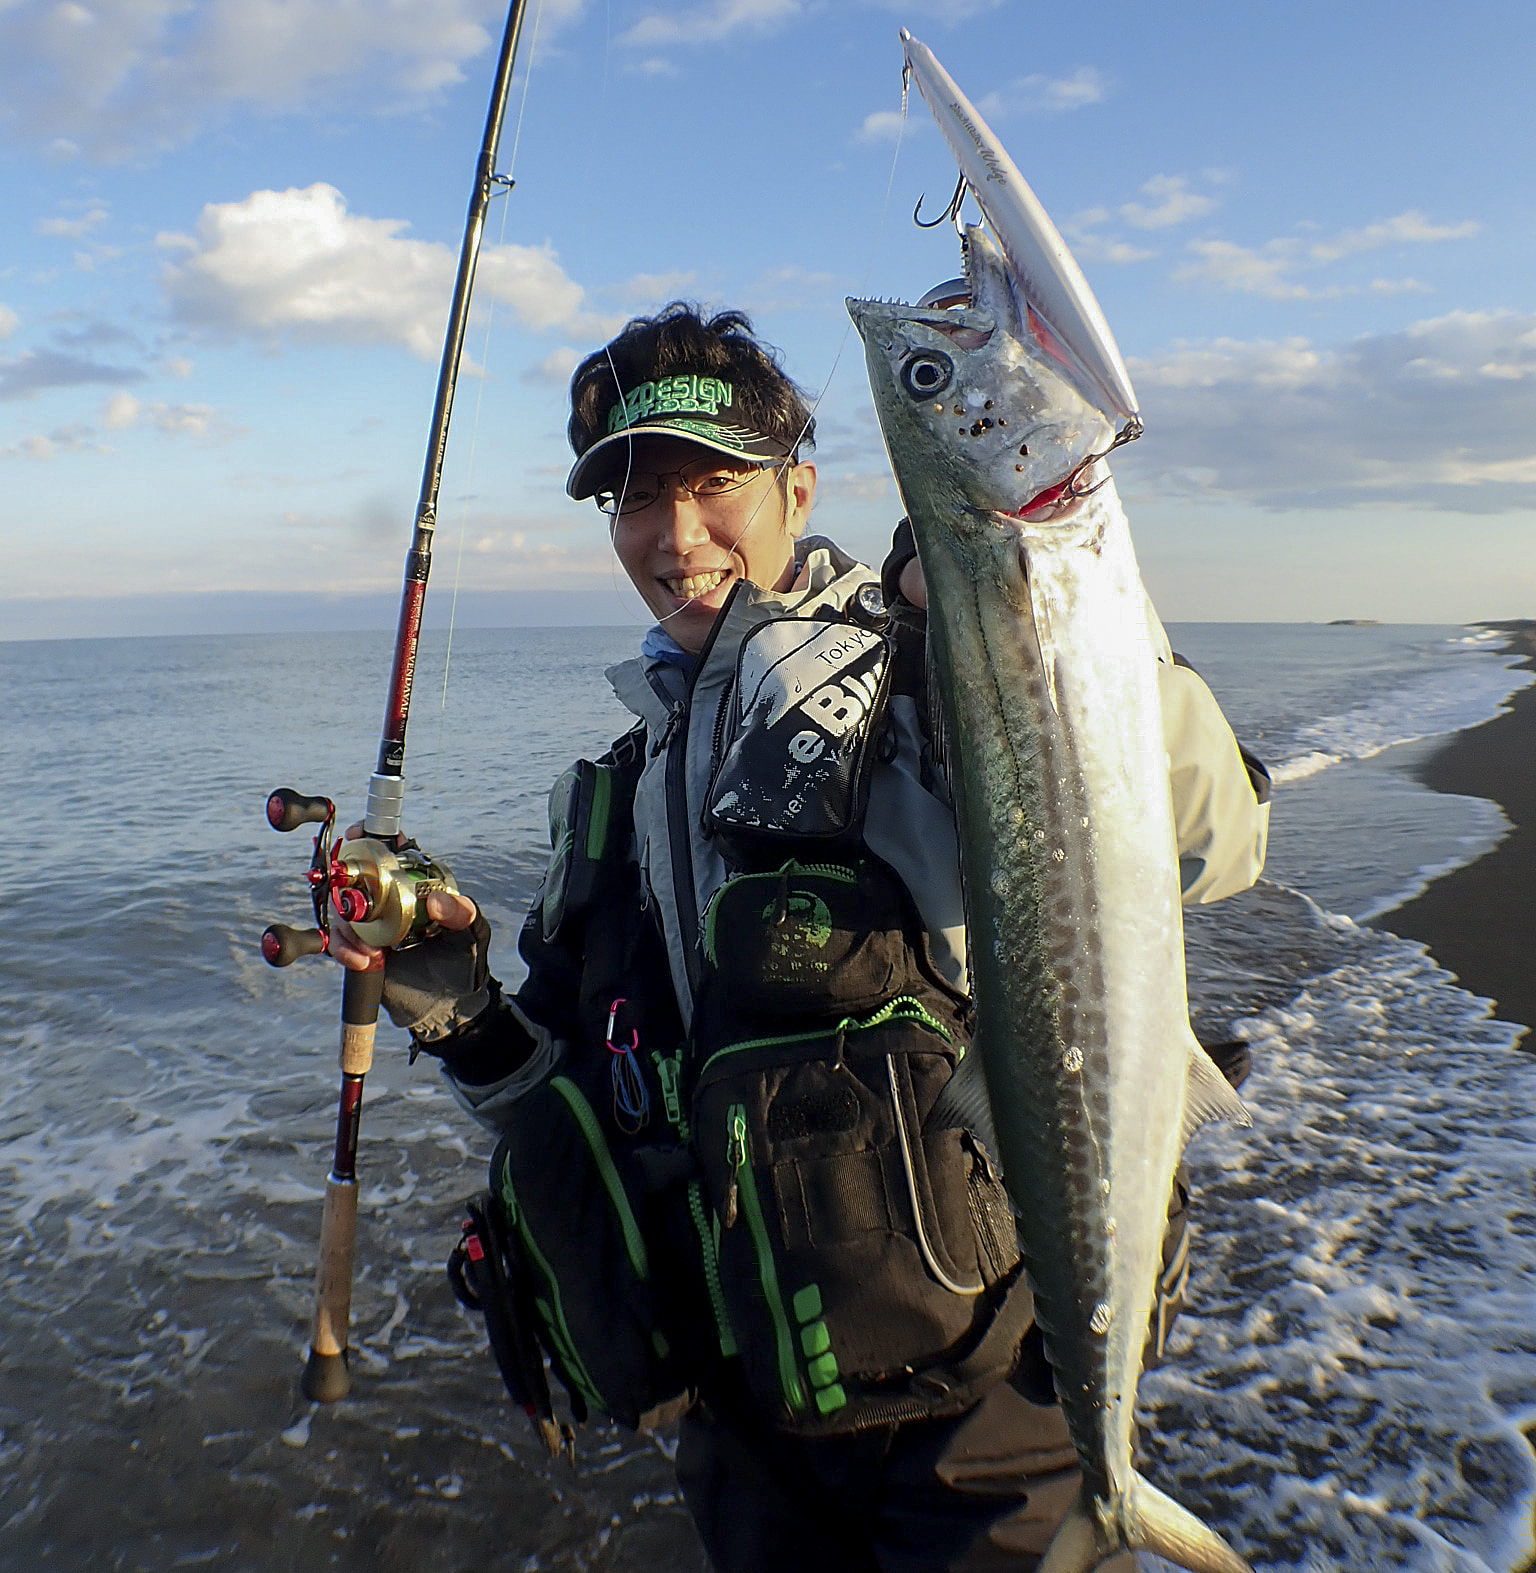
232,226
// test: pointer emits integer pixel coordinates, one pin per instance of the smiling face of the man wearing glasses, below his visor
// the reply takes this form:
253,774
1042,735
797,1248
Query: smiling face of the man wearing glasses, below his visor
684,553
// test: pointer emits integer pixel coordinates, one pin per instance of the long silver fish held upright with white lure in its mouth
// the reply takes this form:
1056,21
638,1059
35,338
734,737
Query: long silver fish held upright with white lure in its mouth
999,408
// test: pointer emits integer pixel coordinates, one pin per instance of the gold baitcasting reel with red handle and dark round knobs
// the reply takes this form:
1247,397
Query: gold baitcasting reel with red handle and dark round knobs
382,891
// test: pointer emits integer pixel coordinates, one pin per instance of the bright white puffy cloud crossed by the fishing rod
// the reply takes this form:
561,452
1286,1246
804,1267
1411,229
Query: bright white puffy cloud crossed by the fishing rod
298,263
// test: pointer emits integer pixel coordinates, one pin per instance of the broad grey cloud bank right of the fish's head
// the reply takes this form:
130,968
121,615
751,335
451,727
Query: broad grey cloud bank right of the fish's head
1434,416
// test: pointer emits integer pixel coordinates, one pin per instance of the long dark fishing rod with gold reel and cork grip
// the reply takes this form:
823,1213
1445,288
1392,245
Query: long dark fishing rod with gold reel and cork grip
380,883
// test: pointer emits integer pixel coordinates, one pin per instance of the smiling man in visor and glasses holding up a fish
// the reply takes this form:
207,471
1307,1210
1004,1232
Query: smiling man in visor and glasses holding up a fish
742,1155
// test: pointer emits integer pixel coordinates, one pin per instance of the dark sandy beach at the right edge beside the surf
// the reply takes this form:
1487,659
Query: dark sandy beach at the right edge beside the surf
1479,919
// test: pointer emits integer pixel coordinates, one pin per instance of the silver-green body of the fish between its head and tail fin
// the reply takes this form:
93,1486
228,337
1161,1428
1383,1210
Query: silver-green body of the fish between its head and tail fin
1060,773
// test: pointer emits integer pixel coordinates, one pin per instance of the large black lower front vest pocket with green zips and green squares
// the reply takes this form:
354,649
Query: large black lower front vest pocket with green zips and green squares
849,1253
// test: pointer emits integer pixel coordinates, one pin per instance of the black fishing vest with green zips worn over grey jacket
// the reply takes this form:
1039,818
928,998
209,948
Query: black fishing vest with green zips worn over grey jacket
755,1163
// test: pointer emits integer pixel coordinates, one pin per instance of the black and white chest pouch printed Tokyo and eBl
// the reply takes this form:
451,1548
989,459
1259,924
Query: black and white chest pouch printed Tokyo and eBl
800,737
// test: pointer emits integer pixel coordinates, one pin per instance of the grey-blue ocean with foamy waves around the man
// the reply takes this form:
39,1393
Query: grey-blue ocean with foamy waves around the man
1346,1390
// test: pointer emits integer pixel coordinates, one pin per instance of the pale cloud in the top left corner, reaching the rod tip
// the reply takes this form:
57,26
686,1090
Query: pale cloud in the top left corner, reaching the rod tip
119,78
